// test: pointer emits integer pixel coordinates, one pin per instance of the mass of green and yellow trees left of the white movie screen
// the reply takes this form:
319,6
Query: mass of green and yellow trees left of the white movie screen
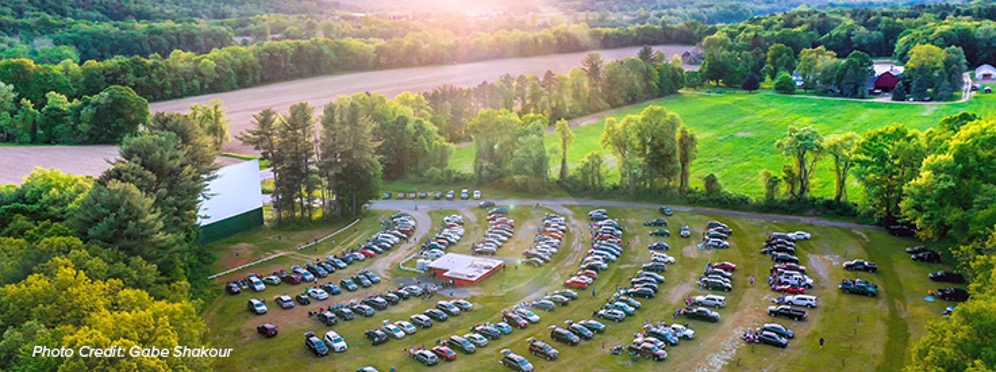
124,245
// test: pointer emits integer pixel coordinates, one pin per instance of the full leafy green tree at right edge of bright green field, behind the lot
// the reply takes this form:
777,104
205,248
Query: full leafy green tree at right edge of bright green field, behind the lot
885,160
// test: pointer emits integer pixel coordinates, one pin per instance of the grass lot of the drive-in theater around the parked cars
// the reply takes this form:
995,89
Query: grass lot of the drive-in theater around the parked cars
862,333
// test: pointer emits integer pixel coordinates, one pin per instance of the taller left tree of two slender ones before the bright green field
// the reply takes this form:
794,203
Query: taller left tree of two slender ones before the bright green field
805,147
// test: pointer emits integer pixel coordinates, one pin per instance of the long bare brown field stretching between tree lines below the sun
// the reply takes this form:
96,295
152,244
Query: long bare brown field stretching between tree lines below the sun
317,91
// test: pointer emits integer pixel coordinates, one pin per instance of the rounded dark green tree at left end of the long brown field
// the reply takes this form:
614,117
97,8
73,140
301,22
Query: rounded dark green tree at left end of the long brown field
113,114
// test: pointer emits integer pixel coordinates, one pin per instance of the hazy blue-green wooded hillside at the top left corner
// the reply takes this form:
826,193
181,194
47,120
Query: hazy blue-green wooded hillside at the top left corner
119,10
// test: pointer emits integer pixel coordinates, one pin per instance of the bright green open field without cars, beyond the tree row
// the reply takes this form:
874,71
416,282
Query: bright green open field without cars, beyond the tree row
737,132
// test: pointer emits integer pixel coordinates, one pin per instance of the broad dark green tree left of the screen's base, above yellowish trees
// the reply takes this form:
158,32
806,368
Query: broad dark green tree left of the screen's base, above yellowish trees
119,216
